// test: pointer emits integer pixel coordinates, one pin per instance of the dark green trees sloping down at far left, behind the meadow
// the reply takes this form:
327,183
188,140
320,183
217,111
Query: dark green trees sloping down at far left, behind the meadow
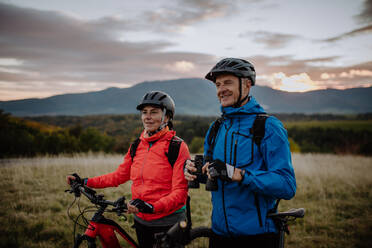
21,138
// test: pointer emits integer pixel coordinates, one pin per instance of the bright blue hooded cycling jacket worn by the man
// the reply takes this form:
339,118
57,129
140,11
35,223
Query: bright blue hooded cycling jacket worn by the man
241,209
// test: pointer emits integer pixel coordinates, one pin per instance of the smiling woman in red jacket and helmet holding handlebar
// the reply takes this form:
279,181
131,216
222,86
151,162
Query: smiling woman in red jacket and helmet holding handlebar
159,189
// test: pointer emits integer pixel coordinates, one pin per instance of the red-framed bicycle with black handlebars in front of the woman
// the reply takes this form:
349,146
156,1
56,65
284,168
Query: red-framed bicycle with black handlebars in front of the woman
181,234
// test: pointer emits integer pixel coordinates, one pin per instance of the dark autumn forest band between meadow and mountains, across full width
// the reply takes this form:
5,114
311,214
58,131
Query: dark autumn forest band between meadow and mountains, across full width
42,135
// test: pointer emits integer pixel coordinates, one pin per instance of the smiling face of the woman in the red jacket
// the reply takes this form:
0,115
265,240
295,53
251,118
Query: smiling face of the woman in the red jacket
151,118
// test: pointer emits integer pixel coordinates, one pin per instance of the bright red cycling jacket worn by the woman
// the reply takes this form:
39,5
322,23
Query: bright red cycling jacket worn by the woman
153,178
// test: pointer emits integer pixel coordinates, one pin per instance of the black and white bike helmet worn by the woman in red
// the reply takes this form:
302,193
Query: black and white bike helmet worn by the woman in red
159,99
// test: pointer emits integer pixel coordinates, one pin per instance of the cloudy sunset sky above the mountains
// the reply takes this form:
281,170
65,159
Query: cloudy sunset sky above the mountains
50,47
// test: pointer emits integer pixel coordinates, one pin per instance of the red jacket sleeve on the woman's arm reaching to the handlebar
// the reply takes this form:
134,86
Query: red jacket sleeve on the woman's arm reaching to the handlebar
113,179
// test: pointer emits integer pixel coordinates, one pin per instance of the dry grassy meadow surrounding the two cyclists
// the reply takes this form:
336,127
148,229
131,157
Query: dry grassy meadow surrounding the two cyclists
336,192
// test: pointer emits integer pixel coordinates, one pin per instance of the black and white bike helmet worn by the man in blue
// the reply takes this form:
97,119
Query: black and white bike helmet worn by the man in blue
237,67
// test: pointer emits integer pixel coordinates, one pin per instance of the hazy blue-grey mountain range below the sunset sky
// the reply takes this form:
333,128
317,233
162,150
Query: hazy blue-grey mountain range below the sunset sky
193,96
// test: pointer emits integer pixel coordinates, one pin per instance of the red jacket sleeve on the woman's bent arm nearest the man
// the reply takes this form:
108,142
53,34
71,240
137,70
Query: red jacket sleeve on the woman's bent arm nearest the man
178,196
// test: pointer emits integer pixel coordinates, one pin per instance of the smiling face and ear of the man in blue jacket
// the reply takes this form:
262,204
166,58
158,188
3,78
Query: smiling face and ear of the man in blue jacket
227,87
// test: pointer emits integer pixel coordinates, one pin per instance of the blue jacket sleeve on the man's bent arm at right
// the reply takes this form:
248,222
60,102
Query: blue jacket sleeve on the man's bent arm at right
278,180
